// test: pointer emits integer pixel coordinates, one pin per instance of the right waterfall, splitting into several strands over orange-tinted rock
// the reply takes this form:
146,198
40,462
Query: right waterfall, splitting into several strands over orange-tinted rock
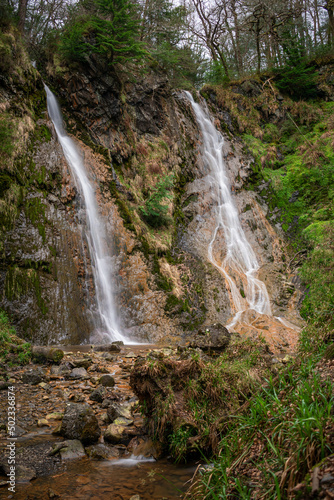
240,259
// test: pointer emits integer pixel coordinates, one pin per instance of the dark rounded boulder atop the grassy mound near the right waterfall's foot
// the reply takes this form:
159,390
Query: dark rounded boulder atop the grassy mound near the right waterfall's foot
213,339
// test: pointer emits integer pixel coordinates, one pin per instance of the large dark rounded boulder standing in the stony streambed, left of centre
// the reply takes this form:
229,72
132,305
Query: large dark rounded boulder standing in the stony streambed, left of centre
79,422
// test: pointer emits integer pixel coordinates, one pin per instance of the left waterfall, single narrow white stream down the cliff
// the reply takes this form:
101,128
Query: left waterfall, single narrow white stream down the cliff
95,232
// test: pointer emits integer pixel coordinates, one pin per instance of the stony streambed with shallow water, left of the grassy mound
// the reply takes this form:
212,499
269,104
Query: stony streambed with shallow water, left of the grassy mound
79,432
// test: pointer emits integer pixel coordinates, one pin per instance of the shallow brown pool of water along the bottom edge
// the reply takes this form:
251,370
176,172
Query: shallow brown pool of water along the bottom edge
111,479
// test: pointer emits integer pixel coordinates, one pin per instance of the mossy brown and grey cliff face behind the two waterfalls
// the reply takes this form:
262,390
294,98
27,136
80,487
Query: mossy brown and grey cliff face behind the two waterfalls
130,135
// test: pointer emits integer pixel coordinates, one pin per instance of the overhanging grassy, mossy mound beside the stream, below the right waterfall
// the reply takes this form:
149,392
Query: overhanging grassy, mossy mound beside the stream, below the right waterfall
187,400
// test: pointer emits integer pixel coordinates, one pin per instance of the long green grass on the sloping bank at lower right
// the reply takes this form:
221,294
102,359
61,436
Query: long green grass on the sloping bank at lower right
270,446
